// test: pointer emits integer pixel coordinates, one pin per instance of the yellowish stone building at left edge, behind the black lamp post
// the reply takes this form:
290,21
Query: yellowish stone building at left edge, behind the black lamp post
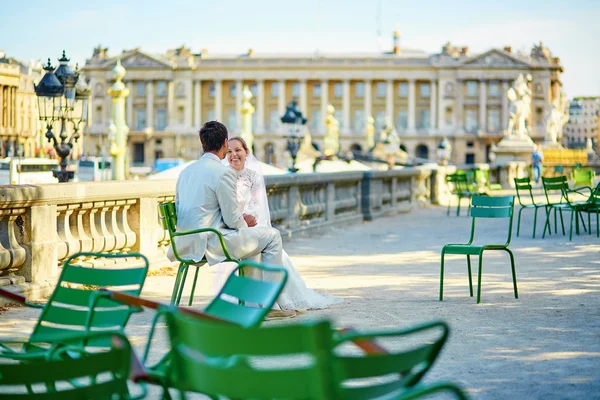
19,129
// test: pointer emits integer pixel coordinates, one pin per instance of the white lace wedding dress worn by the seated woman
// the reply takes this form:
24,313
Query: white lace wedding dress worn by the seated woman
252,198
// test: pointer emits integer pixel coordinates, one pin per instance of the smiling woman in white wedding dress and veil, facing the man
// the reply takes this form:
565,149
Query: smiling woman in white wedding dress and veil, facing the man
252,198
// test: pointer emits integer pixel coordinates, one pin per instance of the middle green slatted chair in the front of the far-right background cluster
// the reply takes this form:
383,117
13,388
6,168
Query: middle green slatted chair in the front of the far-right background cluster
559,186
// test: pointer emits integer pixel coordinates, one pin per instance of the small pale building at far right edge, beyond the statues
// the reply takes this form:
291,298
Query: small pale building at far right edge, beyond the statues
583,123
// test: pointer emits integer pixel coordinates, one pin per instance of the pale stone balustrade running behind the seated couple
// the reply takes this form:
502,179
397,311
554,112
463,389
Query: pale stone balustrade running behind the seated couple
43,225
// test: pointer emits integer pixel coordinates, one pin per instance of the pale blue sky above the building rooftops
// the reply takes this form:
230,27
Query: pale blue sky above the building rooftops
37,29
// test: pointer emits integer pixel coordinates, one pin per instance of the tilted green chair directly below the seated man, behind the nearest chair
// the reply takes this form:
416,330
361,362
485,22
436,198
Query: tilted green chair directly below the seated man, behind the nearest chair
231,305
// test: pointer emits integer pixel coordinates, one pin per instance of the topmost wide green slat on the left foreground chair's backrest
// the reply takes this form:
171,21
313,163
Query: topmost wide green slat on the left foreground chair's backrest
104,276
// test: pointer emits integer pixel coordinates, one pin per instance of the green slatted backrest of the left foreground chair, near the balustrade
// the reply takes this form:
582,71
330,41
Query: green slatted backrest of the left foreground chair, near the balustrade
73,307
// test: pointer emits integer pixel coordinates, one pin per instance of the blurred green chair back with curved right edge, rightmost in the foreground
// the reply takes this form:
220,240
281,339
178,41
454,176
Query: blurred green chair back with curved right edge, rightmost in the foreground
372,376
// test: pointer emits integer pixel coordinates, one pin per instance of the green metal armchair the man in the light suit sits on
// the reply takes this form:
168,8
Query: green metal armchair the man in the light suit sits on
168,216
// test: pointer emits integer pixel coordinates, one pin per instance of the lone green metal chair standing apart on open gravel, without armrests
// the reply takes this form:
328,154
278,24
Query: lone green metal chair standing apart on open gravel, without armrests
483,207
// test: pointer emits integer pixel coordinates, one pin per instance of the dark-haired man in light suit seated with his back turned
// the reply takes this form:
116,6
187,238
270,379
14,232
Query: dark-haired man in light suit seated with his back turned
206,198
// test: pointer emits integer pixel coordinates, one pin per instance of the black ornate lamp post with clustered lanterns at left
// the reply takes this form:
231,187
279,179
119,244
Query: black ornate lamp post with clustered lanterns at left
58,93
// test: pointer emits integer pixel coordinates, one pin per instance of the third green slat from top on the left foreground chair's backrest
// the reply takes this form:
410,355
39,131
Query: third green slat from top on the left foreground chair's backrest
101,318
